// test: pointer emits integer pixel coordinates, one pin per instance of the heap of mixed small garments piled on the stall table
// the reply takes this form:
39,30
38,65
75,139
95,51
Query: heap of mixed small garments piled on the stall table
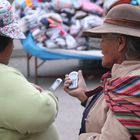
59,23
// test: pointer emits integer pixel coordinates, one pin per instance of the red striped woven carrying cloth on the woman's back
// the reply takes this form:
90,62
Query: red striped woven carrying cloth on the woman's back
123,98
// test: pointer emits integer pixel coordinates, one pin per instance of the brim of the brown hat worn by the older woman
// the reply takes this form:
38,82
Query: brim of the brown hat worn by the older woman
111,28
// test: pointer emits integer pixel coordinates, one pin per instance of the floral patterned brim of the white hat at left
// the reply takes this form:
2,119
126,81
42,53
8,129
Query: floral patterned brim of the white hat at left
13,31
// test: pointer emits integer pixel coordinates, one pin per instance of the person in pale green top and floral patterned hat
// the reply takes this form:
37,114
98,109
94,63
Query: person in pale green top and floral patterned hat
27,112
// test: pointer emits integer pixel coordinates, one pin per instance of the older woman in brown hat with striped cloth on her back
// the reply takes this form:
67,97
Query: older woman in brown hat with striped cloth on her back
113,109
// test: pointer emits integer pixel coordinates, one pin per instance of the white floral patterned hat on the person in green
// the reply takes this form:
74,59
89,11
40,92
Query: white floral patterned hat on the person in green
8,26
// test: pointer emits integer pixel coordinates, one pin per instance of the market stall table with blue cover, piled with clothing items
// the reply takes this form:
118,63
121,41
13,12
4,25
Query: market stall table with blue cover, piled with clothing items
54,28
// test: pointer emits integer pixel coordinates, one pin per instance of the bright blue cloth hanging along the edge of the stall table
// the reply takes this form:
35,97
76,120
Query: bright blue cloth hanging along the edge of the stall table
32,48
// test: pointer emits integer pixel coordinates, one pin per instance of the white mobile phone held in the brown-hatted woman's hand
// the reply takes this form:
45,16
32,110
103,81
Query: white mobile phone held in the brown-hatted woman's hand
74,77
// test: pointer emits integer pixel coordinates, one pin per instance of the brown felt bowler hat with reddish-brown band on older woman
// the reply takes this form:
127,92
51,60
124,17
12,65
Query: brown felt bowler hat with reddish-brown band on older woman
122,19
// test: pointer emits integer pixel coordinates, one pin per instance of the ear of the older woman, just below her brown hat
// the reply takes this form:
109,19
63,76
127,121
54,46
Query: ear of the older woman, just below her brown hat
122,44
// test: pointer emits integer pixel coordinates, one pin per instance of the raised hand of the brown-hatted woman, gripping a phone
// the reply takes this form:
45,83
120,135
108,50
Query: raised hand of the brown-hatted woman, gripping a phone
79,92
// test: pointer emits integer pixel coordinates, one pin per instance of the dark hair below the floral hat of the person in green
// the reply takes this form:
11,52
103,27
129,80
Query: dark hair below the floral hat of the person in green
4,41
